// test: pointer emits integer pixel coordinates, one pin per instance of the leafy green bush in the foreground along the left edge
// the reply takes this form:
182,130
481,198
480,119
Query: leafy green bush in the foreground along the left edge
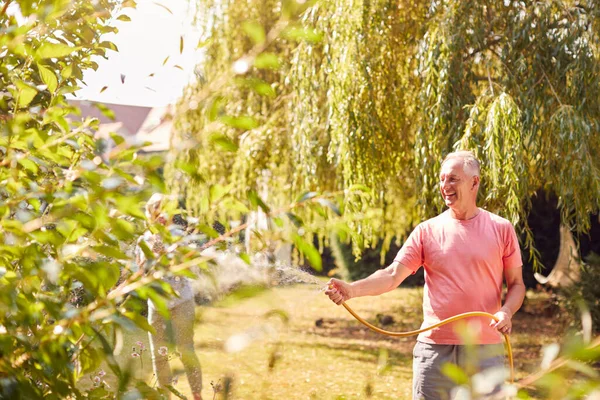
69,215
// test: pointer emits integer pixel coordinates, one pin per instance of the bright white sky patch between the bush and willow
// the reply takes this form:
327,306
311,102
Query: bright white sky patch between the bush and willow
152,35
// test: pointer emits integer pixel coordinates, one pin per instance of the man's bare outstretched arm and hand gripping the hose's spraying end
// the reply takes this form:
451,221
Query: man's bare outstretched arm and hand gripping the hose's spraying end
381,281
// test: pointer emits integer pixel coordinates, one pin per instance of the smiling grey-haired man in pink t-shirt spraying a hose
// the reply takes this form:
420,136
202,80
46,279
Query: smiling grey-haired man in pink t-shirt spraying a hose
465,251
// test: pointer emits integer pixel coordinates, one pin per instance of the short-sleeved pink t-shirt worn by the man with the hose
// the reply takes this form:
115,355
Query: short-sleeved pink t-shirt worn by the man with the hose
464,263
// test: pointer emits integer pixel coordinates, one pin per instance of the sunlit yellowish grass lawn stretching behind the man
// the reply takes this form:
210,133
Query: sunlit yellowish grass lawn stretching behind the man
322,352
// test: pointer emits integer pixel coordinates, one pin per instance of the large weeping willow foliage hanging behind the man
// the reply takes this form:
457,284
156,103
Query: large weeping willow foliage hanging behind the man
374,93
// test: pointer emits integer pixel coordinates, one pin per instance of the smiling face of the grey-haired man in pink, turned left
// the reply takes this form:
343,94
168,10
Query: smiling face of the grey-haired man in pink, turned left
458,189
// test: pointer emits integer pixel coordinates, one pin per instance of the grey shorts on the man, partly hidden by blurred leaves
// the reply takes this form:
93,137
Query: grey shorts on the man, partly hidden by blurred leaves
429,382
